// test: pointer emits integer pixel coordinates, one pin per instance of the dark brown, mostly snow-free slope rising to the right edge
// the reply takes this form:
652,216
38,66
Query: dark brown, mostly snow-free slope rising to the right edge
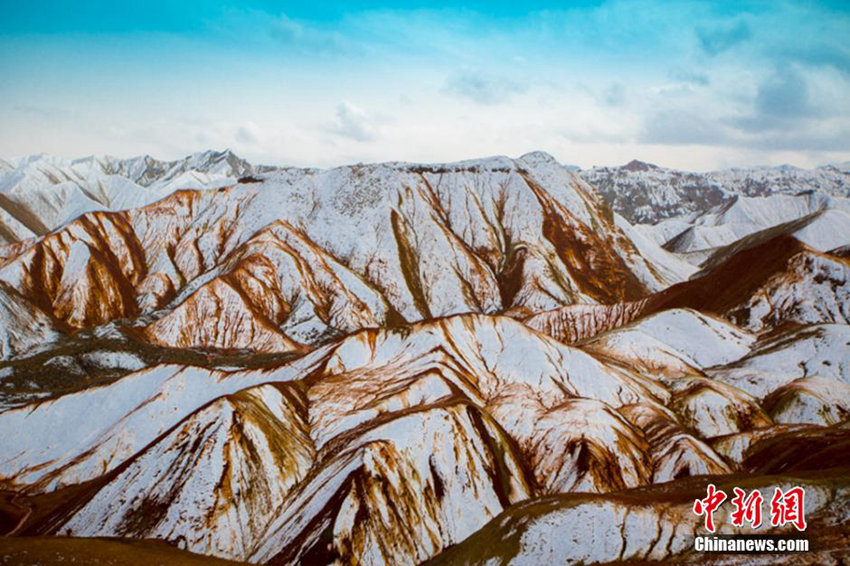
760,288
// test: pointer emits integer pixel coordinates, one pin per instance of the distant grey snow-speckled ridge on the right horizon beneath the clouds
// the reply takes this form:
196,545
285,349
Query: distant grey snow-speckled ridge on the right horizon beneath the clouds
645,193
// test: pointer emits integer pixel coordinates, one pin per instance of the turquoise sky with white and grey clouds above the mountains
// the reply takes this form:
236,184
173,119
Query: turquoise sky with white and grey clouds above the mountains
686,84
